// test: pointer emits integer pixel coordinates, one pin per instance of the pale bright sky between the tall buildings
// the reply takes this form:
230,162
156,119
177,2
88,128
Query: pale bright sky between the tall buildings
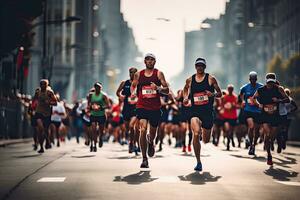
166,38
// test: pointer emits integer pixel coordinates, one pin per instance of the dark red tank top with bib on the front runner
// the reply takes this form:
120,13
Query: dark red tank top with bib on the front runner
147,98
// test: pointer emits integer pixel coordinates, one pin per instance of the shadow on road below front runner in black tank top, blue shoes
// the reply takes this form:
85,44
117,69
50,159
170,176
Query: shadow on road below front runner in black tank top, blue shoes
197,178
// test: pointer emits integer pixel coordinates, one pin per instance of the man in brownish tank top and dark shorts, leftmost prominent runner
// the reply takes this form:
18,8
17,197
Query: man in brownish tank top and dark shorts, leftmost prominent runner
45,100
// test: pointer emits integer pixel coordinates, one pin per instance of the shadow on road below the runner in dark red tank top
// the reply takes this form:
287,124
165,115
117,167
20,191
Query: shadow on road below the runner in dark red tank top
135,179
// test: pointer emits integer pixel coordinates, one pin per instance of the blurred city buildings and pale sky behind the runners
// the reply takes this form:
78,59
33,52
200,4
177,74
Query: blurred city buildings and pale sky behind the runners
74,43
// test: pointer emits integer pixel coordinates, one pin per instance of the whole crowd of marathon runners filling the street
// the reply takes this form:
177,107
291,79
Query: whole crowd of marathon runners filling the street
148,113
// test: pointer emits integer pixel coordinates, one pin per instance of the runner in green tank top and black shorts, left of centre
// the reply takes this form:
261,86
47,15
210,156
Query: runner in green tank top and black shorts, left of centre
98,102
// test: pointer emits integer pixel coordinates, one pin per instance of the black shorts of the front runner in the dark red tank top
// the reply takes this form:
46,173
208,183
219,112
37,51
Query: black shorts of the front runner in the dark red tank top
154,116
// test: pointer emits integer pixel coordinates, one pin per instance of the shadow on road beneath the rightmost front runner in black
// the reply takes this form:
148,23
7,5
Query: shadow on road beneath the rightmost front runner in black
280,174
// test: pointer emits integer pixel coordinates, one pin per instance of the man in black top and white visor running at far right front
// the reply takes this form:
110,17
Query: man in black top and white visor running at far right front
269,96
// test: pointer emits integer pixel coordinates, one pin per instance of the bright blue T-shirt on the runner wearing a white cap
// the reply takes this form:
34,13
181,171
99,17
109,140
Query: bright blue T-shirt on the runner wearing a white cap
248,90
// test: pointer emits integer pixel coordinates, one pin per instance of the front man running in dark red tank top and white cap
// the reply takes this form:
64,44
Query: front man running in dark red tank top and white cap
149,83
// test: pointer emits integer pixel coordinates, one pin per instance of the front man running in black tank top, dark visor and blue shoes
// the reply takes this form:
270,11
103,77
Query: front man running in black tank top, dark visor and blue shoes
201,86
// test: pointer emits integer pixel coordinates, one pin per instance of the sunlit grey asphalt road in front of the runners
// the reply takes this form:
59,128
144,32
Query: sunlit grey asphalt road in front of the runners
72,172
